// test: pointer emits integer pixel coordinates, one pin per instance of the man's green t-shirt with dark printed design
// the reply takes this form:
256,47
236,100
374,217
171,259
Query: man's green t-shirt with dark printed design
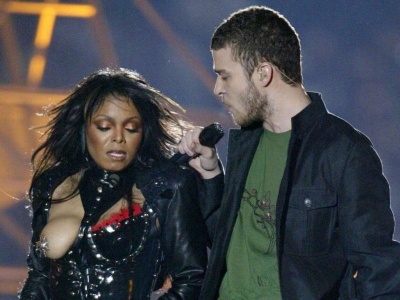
252,264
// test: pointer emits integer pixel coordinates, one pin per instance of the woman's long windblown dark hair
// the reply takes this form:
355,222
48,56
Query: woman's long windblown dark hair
162,120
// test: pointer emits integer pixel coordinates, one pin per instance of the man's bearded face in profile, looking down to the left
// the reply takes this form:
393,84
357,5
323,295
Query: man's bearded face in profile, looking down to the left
239,94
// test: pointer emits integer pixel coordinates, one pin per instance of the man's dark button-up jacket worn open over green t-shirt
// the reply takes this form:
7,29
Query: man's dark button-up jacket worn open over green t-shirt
333,212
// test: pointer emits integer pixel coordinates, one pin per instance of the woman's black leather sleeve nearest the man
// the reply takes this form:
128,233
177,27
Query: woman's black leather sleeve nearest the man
184,239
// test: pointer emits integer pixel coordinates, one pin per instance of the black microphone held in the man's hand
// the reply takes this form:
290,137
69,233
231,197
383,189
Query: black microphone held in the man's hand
208,137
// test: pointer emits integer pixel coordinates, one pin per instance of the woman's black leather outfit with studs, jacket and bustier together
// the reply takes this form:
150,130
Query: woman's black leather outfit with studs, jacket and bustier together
130,259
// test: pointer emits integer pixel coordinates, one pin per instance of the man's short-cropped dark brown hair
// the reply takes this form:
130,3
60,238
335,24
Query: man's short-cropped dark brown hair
258,34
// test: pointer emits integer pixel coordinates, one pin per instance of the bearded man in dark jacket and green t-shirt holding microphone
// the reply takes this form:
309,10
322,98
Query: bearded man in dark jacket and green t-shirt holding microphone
305,210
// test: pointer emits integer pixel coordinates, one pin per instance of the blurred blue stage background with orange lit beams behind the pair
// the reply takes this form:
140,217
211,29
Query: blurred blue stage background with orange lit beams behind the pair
351,54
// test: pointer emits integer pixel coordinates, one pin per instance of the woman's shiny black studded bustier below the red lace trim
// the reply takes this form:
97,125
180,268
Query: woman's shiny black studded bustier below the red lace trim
103,264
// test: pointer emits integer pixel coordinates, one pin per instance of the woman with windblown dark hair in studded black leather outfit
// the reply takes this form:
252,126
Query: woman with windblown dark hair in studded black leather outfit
113,218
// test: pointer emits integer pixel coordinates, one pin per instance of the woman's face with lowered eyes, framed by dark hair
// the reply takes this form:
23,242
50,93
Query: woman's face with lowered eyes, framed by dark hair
114,134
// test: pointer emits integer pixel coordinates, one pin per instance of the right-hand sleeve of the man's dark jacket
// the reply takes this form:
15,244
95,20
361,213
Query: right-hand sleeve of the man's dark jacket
367,227
